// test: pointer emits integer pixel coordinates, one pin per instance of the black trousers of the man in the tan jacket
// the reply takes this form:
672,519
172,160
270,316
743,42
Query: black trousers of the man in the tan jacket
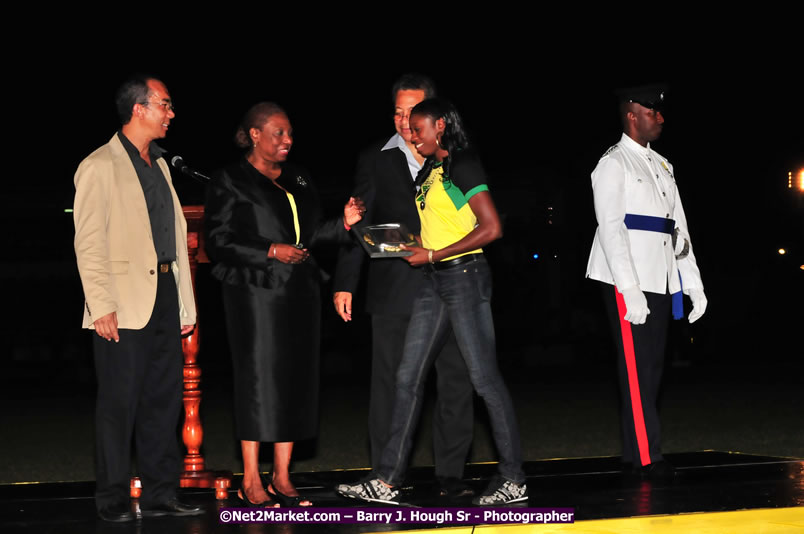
139,392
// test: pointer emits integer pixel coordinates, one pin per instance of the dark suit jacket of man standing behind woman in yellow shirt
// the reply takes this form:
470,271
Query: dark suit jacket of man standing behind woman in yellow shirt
384,183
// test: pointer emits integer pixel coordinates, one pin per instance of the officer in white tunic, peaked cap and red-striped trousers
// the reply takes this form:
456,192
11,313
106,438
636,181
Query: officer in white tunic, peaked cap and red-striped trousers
642,253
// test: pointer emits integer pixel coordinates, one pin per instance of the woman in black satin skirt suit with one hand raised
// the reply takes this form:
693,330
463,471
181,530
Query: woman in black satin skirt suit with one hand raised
261,214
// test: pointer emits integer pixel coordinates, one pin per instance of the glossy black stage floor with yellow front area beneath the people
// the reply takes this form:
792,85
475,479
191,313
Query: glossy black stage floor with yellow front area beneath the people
707,481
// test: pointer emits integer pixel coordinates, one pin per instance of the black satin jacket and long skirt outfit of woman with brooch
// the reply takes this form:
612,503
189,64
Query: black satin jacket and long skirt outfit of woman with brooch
272,309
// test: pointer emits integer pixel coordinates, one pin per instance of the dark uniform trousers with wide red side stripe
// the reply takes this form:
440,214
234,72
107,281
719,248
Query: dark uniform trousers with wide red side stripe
640,362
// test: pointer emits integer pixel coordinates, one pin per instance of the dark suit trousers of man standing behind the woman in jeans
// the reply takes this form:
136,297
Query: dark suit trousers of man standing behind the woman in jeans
453,417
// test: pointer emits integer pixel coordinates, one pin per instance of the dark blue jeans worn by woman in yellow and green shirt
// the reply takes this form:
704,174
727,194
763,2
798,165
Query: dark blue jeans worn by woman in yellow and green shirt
459,296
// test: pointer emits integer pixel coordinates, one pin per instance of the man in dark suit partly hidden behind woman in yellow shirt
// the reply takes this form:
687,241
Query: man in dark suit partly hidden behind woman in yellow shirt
385,181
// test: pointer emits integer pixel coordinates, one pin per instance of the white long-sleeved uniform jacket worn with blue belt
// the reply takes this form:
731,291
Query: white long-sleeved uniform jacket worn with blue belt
632,179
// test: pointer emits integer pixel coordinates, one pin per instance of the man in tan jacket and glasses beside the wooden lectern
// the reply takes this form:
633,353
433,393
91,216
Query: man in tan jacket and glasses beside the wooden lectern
131,248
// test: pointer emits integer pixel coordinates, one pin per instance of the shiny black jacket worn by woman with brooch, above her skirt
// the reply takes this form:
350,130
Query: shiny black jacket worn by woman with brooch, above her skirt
245,213
